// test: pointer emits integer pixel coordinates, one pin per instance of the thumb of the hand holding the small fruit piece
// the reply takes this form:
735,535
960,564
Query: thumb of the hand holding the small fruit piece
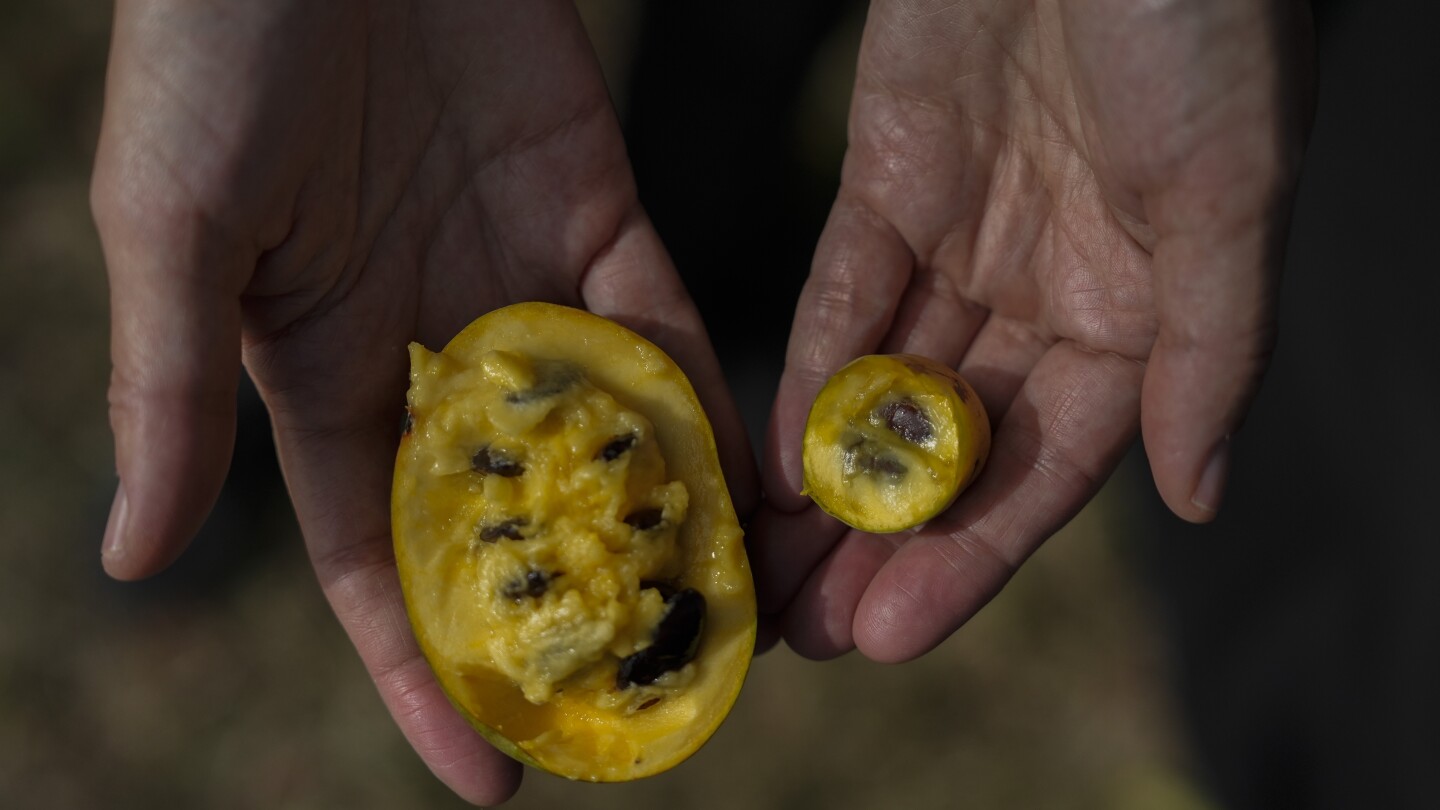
1218,329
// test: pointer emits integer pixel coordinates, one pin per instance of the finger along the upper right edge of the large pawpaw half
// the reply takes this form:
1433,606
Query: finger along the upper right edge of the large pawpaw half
634,283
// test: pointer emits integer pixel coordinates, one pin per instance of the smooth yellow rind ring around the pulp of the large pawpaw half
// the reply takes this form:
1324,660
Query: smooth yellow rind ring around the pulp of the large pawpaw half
643,378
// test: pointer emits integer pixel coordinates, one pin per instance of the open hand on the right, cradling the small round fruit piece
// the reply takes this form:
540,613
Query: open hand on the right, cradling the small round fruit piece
1082,207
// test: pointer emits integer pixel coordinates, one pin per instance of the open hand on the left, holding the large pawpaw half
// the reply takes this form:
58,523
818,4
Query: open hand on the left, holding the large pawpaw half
306,188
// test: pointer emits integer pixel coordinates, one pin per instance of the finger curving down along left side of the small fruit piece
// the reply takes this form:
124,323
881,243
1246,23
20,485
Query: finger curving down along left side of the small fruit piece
846,309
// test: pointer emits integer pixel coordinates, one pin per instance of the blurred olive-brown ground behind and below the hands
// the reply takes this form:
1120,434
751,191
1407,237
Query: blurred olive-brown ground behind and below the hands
227,682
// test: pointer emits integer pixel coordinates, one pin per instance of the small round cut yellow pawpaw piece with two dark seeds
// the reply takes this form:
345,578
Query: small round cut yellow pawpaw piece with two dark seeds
892,440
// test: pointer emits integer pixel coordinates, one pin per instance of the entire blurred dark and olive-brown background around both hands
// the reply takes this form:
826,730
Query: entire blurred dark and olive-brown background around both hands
1284,658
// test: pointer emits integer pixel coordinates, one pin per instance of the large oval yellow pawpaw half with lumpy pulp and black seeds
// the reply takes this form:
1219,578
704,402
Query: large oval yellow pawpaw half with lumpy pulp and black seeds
571,560
